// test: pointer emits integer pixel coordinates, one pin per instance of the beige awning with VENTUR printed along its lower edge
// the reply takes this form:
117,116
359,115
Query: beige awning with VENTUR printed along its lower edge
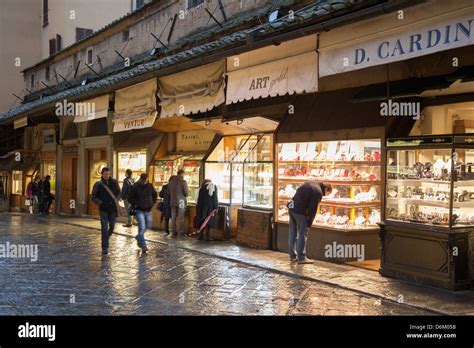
135,106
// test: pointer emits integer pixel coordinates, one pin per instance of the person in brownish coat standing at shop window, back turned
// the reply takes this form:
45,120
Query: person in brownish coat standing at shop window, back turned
178,188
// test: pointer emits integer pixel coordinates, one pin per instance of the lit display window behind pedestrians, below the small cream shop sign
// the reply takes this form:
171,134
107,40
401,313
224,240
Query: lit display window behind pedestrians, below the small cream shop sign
167,166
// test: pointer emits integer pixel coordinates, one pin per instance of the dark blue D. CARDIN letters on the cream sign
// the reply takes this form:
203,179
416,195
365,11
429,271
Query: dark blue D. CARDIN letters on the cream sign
417,42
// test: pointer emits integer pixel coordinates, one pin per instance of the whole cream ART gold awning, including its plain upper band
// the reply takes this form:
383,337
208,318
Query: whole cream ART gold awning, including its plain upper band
288,68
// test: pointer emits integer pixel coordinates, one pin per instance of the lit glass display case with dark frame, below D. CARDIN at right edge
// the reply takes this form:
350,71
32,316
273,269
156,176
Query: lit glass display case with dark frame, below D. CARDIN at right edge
430,180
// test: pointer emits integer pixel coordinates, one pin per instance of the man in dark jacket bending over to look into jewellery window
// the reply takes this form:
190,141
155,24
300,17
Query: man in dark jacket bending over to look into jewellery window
302,210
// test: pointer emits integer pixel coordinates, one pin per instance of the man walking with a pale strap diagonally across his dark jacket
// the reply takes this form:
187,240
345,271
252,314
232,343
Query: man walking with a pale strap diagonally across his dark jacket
105,194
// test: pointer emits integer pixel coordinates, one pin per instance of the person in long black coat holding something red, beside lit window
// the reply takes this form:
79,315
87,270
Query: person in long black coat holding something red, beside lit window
206,206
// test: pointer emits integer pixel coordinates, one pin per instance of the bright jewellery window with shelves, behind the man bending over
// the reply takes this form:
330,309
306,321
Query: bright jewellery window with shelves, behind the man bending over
353,169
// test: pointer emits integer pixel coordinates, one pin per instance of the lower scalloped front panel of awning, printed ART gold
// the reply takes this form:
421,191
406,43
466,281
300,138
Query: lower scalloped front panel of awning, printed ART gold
296,74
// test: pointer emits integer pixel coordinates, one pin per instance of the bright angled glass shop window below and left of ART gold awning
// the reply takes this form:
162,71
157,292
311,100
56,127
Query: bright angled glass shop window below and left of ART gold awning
241,167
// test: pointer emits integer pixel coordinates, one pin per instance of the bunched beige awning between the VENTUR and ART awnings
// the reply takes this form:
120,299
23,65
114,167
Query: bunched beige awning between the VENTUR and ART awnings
192,91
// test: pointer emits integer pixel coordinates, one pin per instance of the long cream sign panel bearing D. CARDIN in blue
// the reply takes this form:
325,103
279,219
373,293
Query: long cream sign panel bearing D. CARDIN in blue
406,43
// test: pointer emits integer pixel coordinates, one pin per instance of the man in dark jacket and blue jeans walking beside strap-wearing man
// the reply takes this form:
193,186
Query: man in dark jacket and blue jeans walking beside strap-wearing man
143,197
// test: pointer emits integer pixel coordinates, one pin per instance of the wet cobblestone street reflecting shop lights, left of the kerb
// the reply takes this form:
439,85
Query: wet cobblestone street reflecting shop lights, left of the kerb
71,277
